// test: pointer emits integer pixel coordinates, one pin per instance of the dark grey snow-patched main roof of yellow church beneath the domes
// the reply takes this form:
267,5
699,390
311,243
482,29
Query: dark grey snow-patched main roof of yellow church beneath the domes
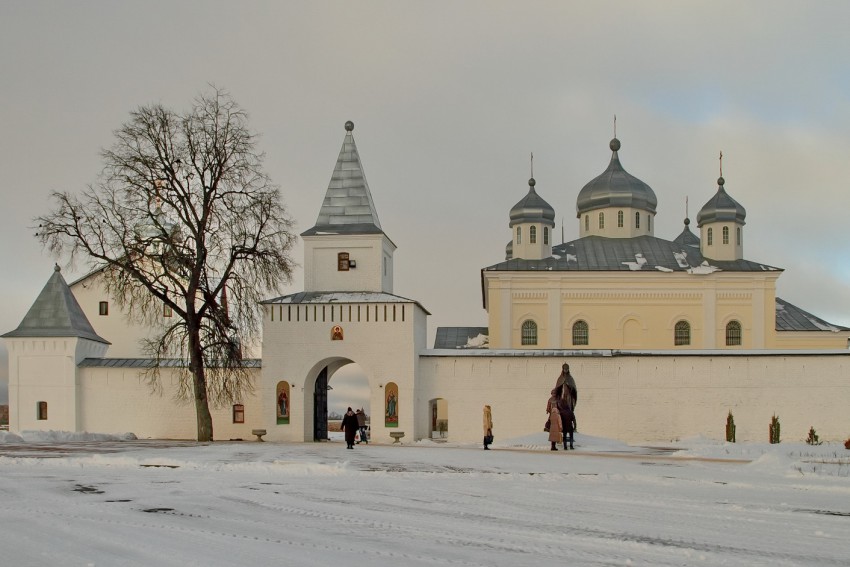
642,253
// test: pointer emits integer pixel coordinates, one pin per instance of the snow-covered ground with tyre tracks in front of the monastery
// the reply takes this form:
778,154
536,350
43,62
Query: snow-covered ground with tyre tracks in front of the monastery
84,500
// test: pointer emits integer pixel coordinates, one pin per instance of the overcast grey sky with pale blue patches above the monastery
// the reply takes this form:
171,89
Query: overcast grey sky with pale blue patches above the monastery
448,100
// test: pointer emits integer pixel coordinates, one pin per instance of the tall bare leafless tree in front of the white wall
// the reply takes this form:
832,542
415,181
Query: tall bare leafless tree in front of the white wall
184,216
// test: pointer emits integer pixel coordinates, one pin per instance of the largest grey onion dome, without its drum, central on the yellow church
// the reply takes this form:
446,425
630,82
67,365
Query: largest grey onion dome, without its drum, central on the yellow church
615,187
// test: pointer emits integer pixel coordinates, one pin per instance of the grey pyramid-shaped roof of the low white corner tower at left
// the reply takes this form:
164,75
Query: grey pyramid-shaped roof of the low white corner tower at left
56,313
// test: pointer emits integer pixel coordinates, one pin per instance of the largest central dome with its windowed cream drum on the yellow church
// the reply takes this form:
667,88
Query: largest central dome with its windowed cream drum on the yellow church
616,204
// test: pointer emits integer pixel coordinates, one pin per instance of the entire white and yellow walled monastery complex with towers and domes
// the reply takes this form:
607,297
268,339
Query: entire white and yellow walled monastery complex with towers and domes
664,337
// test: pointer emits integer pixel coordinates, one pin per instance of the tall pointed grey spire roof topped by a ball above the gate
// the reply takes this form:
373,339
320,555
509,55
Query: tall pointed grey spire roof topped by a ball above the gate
348,207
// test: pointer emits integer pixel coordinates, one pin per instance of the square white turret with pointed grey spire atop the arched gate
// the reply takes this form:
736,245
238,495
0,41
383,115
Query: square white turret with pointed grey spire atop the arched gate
346,250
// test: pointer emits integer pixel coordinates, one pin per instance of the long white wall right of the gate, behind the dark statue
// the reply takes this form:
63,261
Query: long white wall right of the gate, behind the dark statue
645,397
